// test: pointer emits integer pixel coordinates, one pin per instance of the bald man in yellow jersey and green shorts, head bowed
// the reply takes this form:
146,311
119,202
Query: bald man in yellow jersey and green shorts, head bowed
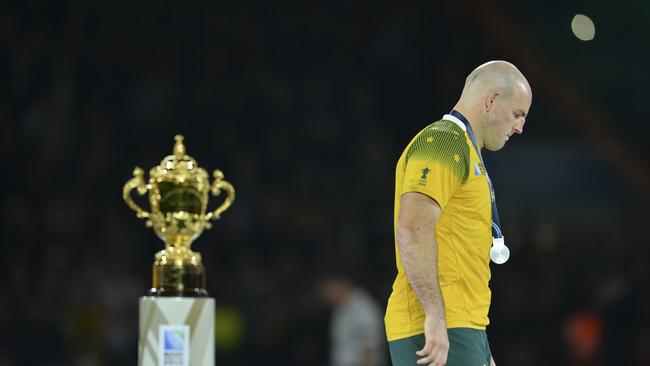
438,310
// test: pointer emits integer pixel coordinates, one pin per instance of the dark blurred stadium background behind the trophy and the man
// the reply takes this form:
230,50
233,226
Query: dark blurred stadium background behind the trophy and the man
306,107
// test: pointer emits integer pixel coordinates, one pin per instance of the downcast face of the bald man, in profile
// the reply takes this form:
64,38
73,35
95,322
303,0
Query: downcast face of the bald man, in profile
506,118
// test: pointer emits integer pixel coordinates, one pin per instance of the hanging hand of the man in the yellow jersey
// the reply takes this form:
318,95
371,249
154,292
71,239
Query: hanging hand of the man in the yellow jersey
436,344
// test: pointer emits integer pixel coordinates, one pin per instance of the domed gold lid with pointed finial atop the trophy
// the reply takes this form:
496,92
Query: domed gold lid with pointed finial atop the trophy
178,167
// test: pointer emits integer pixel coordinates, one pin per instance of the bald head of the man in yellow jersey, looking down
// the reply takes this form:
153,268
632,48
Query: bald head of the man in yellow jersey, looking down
496,99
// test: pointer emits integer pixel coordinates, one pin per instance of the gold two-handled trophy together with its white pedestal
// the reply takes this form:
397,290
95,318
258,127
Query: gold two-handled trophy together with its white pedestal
177,316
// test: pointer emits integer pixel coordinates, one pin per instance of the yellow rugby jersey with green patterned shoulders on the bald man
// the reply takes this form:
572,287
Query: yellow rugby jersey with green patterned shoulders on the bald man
441,162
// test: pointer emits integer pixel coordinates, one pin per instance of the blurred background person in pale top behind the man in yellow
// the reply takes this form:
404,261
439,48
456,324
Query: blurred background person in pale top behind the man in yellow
356,326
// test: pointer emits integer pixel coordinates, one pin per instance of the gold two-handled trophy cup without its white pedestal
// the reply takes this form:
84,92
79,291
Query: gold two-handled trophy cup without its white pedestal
178,195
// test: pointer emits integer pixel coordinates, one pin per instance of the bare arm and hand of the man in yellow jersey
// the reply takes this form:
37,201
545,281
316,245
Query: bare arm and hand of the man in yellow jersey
418,249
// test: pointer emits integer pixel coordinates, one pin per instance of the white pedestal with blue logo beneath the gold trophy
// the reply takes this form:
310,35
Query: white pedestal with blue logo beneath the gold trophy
176,331
